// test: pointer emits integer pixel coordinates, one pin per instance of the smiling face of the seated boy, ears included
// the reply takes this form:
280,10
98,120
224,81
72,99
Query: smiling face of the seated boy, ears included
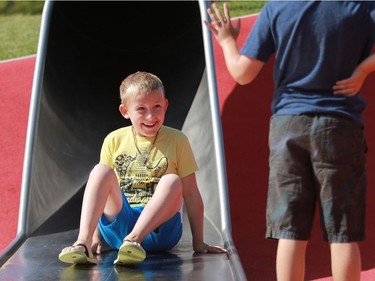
146,112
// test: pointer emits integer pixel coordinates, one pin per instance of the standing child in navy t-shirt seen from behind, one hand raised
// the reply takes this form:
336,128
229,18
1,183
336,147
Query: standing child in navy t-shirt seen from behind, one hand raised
316,136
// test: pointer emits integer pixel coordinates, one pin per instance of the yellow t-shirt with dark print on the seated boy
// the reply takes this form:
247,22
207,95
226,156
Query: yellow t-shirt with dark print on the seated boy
140,162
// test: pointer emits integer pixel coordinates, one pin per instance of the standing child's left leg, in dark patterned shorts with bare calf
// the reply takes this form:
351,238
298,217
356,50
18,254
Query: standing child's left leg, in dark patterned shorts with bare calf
291,197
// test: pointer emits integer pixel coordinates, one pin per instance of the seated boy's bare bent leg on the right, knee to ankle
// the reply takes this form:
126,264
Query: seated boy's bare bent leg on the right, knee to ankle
165,203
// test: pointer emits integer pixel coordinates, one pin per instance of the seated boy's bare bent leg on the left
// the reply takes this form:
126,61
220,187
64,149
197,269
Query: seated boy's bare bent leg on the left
102,194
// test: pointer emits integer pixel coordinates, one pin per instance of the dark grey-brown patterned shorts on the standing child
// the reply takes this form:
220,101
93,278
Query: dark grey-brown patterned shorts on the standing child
316,161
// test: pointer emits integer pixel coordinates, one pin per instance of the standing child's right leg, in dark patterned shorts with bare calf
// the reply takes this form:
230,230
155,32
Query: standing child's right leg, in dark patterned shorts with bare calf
340,167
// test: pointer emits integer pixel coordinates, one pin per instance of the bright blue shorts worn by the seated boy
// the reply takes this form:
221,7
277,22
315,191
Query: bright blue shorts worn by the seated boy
164,238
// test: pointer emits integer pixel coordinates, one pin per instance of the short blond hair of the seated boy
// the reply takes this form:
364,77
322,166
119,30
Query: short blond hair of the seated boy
140,83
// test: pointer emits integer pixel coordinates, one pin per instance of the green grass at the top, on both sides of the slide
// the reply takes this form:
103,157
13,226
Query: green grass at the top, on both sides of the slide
20,24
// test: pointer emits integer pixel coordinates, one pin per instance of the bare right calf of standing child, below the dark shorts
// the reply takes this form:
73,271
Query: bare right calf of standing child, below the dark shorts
346,261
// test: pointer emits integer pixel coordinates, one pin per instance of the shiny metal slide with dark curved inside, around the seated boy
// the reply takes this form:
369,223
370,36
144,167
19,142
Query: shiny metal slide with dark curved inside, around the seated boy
85,50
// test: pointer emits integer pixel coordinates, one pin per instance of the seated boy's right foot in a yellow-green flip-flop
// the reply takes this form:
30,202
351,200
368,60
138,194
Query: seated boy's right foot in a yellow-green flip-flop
130,253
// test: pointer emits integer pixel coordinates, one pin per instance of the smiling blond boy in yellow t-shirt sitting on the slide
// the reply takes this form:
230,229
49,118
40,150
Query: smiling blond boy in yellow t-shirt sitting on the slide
134,196
